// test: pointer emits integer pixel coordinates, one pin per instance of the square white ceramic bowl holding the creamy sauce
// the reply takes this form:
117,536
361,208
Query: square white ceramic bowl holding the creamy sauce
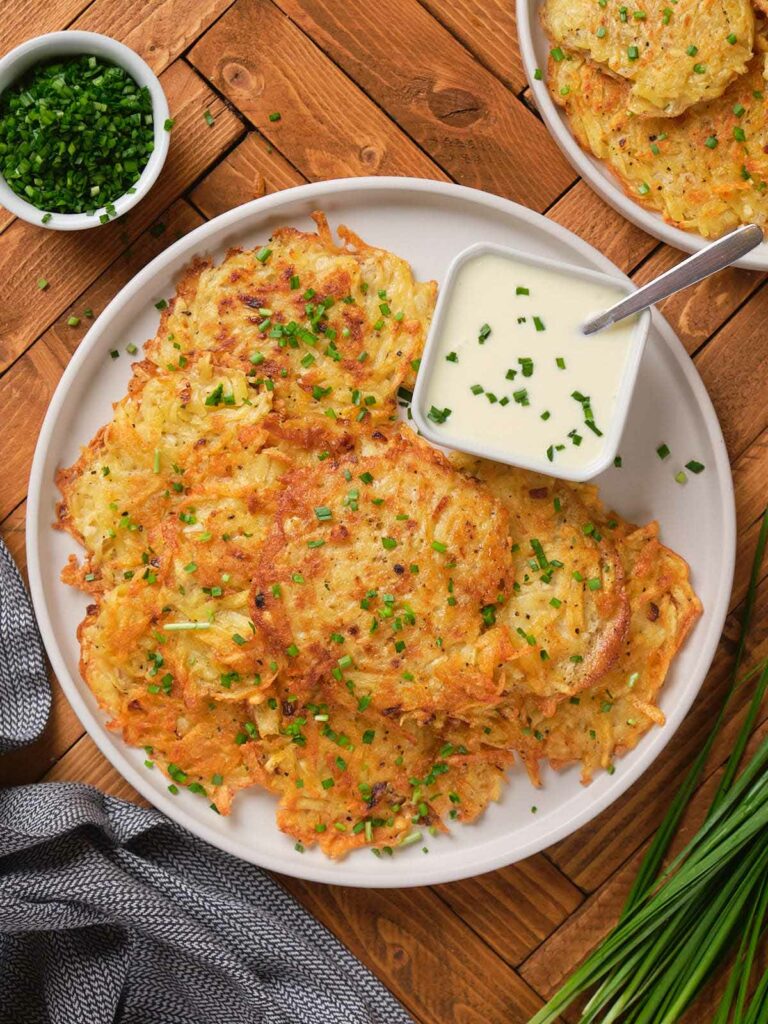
614,429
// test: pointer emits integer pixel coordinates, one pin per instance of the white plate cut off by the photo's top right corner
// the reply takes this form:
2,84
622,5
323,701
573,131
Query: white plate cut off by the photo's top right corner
535,50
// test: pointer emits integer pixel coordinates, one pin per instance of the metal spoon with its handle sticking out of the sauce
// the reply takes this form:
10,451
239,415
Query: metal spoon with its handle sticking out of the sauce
711,260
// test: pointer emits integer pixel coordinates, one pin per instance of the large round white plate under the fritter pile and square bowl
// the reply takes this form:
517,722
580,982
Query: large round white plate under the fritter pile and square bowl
428,223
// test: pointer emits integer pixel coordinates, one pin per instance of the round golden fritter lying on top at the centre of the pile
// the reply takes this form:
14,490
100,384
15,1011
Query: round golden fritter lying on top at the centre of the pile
377,577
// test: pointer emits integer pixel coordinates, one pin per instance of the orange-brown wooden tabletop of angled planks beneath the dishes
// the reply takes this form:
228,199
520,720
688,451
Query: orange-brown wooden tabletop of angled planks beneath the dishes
436,90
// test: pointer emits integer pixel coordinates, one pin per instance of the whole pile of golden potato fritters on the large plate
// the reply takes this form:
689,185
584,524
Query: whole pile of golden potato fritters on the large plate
292,591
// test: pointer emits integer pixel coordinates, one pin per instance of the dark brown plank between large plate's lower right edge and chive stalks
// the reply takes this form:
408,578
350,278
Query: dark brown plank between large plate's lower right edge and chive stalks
592,855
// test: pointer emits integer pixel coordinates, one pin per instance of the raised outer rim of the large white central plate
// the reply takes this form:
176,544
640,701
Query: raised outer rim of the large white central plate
333,872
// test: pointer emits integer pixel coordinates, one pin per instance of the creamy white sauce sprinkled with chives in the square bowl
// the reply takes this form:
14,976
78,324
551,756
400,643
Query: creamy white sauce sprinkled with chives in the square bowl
485,295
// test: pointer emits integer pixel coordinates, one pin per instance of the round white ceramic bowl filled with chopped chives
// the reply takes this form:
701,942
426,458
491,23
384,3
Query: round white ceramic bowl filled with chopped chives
69,45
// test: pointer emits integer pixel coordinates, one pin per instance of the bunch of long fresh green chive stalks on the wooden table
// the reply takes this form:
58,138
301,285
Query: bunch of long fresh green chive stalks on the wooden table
680,922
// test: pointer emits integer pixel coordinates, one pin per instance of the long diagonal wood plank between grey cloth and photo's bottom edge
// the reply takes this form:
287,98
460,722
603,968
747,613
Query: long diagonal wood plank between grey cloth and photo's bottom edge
429,958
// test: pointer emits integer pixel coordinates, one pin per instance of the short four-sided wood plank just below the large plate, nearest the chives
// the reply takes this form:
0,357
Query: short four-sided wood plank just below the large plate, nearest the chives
516,909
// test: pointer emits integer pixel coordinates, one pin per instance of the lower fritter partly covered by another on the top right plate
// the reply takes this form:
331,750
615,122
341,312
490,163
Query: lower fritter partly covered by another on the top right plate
706,172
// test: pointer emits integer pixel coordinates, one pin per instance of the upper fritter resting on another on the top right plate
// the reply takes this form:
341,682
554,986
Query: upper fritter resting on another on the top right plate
672,57
